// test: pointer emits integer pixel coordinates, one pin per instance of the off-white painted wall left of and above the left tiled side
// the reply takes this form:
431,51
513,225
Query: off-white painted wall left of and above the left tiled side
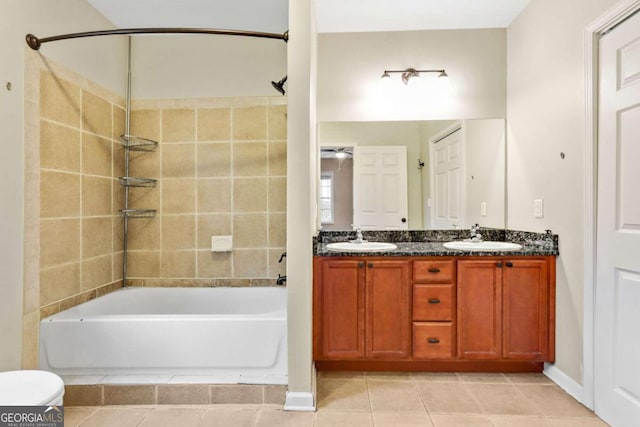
100,60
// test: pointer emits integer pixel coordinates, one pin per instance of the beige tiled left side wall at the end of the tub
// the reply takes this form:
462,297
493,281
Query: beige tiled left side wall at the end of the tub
72,233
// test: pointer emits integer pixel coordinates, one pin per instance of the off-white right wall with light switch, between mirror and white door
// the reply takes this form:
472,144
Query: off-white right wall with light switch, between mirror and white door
546,116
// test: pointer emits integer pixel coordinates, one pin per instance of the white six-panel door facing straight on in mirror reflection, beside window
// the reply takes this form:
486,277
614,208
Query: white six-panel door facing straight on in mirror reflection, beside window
380,187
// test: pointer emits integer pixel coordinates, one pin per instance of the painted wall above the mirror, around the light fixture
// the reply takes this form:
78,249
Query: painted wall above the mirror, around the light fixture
350,66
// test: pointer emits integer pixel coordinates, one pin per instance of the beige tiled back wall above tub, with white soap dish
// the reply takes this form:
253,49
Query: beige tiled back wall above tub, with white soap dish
221,170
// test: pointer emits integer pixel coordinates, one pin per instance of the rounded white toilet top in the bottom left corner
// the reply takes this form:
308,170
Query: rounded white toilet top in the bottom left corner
30,388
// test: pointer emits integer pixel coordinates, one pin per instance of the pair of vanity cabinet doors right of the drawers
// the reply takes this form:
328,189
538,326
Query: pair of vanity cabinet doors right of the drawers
504,309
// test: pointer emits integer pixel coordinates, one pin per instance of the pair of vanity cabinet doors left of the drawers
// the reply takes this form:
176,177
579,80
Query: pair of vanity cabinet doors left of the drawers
362,309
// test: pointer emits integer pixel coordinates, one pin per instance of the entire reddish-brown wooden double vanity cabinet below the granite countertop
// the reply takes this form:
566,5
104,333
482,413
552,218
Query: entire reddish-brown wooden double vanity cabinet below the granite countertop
434,313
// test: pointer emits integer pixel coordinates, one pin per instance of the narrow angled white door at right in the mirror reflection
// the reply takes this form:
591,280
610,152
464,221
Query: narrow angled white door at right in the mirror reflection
447,176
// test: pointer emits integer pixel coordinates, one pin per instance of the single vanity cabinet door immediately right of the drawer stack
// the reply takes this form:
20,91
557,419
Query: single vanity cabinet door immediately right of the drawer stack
479,309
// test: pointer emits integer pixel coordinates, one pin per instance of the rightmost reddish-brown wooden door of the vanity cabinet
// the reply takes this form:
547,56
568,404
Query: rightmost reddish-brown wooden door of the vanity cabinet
525,299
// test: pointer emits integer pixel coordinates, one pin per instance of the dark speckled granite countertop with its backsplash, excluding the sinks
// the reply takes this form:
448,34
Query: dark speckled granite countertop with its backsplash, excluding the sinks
429,242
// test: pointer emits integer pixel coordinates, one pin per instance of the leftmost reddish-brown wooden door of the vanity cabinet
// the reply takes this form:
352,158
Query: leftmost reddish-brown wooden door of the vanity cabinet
340,309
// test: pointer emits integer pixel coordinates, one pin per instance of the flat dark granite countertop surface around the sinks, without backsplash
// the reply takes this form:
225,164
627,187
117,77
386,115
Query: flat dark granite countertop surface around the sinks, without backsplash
437,249
